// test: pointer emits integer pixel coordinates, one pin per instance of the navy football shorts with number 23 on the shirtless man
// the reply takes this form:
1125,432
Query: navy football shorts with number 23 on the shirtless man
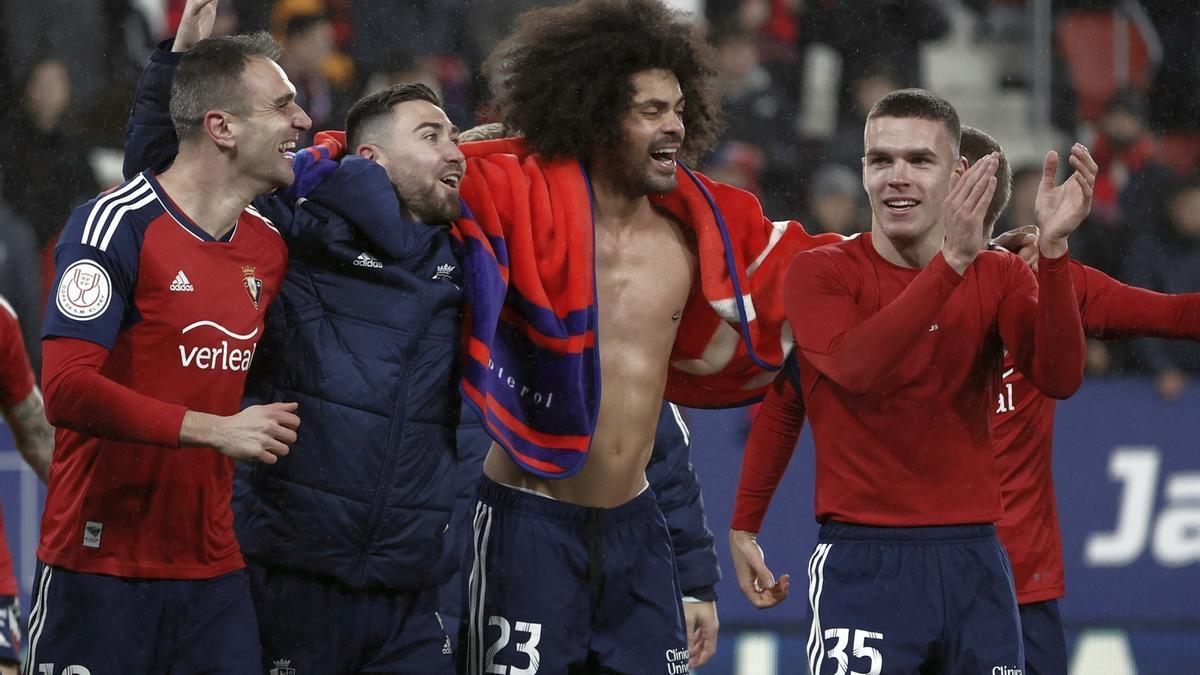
554,587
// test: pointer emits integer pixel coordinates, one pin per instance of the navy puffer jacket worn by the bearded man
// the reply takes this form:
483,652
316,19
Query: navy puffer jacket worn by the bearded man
365,338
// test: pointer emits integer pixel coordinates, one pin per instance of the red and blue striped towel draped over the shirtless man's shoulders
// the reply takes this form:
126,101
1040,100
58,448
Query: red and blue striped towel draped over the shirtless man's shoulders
525,241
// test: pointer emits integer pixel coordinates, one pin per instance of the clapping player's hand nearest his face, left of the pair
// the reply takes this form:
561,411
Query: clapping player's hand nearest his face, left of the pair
963,214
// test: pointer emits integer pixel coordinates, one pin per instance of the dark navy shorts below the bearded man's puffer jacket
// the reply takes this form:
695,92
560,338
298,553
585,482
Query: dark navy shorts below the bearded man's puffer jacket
311,625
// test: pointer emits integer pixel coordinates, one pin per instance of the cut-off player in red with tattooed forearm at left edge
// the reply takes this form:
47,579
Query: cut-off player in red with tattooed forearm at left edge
22,407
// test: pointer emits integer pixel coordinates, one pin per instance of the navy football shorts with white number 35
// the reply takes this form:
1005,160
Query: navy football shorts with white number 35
898,601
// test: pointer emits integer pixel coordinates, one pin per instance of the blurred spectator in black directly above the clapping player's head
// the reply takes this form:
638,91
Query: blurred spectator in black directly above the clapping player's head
869,33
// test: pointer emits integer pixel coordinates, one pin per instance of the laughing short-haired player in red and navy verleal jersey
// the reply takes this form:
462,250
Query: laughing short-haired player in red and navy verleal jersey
158,308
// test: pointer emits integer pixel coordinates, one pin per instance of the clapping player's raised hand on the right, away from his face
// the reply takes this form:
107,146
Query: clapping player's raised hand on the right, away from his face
1060,210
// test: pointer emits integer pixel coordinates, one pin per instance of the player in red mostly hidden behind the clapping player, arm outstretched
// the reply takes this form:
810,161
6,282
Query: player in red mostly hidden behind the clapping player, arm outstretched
1023,431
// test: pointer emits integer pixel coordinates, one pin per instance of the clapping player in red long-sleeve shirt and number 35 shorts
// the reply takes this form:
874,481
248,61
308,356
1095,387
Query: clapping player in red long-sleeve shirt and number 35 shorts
897,374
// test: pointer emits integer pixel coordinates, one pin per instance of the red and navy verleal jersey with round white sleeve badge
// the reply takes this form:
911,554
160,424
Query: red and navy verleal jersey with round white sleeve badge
182,315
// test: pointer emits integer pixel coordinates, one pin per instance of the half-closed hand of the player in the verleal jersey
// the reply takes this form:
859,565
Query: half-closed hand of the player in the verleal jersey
256,434
